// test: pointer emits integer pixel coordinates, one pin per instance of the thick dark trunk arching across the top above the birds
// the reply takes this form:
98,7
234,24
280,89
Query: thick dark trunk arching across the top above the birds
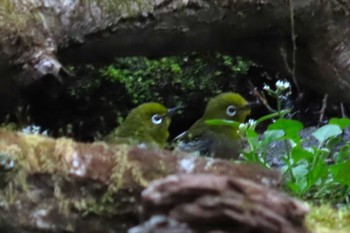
40,36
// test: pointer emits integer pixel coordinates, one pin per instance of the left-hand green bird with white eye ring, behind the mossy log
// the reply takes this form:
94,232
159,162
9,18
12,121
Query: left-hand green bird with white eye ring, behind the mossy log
145,125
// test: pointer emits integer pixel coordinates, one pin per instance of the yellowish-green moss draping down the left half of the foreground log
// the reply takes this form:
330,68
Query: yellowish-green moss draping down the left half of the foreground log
35,154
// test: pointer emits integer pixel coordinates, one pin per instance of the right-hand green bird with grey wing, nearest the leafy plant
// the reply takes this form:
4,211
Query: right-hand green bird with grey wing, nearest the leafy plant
217,140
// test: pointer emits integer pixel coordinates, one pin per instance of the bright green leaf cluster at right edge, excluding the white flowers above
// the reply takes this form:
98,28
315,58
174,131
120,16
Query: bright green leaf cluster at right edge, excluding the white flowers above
307,172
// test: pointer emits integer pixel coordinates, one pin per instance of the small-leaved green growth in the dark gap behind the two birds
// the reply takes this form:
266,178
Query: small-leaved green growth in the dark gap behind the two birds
151,79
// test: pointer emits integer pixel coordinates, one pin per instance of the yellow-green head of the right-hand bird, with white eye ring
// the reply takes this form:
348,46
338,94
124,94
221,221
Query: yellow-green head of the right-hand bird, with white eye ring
228,106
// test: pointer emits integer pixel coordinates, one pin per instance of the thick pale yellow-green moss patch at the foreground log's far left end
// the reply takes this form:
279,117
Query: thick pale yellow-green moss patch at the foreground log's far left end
33,154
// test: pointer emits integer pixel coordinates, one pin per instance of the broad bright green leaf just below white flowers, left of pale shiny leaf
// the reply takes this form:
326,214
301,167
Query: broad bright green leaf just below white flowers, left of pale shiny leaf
290,127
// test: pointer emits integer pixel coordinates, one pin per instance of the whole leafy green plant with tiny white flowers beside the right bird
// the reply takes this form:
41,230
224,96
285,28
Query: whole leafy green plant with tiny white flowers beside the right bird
316,167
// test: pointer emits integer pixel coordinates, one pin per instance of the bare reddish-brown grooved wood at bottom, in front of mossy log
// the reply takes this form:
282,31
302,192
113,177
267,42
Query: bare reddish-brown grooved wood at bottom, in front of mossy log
209,203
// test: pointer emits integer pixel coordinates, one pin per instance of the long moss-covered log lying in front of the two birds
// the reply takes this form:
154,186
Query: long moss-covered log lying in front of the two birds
50,185
